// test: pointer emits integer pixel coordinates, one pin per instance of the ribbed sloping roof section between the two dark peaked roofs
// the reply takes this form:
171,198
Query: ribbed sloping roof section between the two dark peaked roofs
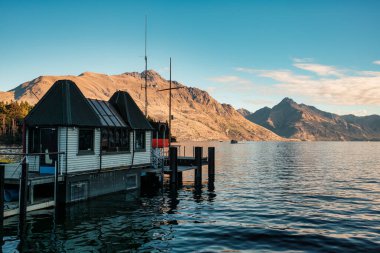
108,115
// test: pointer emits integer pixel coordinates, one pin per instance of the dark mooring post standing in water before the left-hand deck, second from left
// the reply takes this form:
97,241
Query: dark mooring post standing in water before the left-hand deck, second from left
23,197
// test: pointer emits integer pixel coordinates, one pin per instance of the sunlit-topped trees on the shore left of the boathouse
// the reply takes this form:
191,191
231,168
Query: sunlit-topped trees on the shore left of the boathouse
11,117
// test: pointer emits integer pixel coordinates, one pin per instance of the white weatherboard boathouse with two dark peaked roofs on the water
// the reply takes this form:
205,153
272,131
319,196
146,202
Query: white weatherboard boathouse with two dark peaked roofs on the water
97,147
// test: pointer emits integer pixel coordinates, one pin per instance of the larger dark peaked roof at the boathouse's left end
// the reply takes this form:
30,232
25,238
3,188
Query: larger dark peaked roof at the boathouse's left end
63,105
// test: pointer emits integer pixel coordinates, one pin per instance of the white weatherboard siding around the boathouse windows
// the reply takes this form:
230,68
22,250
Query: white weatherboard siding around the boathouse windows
78,163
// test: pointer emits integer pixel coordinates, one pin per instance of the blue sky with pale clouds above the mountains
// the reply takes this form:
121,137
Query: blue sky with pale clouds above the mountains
248,54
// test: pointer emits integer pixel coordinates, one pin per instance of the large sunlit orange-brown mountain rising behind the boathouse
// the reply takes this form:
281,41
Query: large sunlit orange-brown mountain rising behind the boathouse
197,116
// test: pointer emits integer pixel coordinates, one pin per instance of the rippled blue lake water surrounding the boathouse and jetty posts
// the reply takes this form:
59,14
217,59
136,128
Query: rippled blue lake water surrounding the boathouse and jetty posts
314,197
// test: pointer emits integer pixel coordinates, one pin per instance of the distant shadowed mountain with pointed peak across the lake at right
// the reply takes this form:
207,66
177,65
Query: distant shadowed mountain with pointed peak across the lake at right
299,121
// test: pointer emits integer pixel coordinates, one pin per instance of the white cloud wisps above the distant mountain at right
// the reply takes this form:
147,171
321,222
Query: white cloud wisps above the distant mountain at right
331,85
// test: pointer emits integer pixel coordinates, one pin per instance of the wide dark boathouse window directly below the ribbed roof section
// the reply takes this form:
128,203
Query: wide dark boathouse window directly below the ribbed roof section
115,140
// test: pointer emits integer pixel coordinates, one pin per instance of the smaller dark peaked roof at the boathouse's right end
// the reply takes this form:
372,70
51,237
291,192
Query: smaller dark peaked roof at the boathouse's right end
129,110
